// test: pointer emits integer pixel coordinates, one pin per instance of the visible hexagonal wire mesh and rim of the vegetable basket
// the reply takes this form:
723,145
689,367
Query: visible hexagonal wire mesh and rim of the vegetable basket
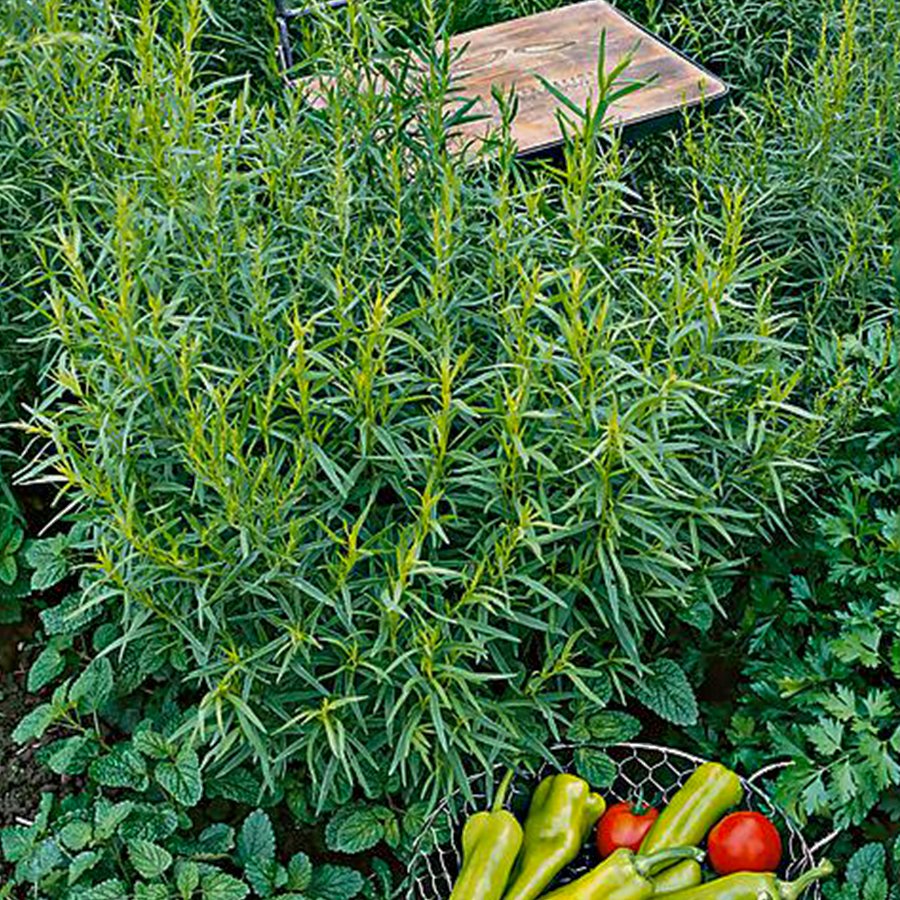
434,864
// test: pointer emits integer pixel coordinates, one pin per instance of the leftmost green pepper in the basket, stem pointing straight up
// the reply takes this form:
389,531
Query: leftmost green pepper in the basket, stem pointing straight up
491,843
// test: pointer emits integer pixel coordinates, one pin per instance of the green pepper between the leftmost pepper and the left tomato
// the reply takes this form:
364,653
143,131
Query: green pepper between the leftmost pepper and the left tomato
563,810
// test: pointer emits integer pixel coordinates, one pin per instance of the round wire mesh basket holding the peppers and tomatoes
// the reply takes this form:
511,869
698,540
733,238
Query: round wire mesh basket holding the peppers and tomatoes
642,770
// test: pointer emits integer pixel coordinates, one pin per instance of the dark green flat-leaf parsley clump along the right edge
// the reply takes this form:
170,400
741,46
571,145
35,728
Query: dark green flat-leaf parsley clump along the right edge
822,630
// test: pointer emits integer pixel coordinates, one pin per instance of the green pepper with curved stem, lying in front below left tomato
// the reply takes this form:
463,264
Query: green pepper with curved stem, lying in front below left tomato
622,876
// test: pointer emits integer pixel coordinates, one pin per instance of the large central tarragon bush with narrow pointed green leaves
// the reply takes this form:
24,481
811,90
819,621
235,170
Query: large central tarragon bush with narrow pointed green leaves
393,457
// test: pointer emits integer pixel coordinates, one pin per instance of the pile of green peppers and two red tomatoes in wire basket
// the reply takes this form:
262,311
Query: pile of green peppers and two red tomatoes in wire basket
653,855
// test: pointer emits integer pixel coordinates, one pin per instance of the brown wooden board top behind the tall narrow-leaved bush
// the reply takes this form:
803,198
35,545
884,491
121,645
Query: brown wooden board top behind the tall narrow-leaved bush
563,46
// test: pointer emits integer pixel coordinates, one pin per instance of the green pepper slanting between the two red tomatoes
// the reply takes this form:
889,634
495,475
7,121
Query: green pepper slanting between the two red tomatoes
706,796
